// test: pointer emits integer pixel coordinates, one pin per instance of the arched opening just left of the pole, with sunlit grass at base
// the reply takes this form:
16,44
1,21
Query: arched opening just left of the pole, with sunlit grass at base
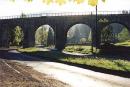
79,39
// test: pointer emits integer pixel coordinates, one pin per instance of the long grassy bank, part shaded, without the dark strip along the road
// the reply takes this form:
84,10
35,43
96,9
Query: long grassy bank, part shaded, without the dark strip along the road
104,62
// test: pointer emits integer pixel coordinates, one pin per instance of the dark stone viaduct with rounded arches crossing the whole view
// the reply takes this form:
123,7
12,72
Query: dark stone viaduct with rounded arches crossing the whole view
60,25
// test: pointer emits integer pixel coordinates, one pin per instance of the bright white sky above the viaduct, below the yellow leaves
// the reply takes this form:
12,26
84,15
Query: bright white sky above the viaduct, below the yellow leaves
8,8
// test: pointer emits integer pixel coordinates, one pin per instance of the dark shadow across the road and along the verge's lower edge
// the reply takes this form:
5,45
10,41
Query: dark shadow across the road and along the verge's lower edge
43,55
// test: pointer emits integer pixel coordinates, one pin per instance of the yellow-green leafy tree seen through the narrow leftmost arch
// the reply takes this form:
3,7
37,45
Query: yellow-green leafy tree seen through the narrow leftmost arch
18,36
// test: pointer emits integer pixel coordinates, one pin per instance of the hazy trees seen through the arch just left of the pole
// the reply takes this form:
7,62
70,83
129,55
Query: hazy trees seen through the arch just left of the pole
77,32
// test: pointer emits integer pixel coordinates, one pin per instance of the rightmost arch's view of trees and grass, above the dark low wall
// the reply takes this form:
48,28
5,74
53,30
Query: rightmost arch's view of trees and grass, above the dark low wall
115,34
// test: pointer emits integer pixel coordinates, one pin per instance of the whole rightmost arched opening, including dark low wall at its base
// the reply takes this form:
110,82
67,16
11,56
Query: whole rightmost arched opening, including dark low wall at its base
115,39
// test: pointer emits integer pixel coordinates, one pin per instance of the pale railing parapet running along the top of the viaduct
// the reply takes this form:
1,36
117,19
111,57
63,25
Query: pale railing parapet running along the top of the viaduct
65,14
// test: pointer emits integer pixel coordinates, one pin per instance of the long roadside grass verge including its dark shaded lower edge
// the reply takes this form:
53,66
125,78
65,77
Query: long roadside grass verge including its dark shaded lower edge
107,64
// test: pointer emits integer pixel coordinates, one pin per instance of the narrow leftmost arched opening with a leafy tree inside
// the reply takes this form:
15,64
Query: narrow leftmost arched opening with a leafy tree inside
16,36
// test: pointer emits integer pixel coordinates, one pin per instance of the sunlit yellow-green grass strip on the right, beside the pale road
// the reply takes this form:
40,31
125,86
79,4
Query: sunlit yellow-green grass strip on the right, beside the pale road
101,62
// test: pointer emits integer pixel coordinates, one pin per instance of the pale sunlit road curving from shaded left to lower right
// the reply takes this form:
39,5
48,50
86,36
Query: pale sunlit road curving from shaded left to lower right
74,76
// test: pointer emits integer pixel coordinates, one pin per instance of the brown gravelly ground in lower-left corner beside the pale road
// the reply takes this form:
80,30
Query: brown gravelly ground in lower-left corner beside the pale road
13,74
